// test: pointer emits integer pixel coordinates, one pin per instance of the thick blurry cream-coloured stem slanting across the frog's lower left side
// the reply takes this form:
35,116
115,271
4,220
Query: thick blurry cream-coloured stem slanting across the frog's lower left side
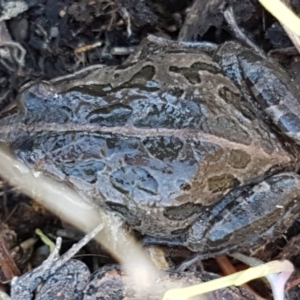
69,206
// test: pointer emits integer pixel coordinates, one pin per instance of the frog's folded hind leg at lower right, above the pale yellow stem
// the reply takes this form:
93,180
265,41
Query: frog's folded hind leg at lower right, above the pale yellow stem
263,212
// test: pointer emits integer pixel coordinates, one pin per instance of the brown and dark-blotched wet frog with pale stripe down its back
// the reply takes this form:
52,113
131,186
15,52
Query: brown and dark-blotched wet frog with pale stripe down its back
181,151
